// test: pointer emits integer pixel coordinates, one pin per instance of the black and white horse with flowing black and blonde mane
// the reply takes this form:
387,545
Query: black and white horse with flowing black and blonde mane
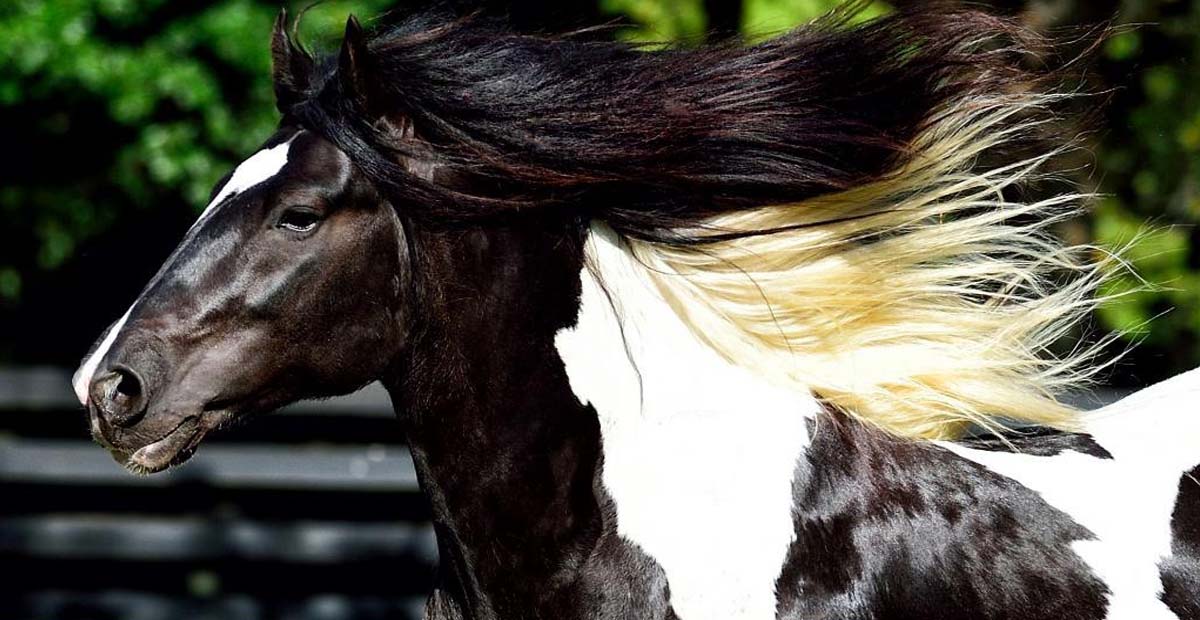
728,332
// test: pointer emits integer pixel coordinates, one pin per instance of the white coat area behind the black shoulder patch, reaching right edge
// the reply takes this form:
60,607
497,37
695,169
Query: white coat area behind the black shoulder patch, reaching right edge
1126,502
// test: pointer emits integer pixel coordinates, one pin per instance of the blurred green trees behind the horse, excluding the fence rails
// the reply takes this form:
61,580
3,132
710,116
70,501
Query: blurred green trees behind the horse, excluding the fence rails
129,111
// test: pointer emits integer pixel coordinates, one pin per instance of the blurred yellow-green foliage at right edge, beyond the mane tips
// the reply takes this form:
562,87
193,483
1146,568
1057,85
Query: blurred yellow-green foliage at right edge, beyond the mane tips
1150,165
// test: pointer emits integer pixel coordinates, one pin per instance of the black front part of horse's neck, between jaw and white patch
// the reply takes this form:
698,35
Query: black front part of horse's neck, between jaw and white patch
506,453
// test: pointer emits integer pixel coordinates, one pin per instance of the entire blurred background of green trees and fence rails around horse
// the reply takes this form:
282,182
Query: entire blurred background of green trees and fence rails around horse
117,117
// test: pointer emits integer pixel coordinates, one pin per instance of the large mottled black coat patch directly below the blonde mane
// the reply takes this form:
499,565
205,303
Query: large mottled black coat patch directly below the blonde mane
893,529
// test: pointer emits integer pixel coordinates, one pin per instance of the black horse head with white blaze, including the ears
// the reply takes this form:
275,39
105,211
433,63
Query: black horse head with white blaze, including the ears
290,286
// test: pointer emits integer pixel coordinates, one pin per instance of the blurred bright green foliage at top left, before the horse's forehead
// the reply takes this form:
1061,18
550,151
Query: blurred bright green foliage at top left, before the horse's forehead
169,99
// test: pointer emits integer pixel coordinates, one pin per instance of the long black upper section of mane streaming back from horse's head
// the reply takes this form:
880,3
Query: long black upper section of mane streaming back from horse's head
656,142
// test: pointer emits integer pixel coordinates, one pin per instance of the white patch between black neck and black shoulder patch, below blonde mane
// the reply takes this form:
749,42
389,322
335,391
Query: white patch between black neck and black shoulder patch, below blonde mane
699,455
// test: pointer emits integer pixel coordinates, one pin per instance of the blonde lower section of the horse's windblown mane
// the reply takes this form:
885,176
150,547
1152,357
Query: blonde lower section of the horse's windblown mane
926,303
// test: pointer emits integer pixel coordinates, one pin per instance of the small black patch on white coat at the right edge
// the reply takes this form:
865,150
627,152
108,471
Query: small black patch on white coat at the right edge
1181,571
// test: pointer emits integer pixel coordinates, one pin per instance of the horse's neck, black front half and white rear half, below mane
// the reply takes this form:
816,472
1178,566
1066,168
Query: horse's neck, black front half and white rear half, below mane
527,365
